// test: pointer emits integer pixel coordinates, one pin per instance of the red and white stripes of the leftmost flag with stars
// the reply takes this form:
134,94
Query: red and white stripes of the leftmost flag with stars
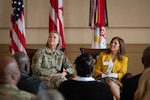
17,35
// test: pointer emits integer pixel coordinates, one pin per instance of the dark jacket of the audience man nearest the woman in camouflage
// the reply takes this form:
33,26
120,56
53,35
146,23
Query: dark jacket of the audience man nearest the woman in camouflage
31,84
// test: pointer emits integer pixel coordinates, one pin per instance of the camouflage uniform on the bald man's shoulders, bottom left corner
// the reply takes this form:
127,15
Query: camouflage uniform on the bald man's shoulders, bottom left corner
11,92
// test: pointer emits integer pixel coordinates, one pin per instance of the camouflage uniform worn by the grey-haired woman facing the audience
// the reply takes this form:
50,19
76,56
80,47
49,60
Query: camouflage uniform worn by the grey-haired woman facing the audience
46,62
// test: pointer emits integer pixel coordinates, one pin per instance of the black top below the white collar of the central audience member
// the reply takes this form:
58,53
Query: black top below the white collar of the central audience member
81,90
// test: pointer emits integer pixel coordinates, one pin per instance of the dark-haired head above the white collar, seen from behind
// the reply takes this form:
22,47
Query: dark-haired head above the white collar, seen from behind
84,65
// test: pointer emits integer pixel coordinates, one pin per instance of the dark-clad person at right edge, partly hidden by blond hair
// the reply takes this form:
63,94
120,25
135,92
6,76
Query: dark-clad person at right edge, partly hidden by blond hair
130,85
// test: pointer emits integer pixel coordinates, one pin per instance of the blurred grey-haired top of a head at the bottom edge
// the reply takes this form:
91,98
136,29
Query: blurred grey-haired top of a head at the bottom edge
52,94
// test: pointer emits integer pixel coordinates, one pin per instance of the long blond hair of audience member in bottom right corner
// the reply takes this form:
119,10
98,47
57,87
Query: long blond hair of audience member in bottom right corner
143,90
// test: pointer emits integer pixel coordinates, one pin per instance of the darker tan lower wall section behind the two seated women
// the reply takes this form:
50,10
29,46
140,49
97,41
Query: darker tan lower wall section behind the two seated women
133,51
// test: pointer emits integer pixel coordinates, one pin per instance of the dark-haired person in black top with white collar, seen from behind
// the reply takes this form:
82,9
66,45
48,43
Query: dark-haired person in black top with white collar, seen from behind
84,86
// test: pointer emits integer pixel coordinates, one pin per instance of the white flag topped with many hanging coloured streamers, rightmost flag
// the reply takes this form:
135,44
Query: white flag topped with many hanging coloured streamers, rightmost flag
97,21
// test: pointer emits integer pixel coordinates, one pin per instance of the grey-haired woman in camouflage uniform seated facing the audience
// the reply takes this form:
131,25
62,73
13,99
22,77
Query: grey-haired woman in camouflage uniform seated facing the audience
50,64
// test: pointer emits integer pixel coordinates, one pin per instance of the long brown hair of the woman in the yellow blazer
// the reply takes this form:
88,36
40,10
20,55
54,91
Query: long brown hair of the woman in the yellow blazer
121,50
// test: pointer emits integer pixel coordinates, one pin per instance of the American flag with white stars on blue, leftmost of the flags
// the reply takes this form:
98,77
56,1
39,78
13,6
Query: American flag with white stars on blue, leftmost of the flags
17,30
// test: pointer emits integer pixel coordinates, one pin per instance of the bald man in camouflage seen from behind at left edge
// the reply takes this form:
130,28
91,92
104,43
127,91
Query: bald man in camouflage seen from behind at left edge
9,77
